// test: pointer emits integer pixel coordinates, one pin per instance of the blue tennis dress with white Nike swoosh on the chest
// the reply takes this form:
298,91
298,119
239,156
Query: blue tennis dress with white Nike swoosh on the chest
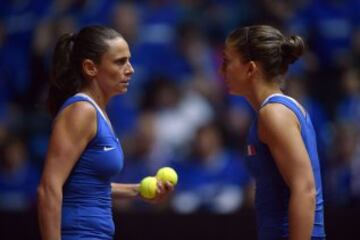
86,207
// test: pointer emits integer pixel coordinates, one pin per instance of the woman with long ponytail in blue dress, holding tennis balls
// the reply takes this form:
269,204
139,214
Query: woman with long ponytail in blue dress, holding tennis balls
75,193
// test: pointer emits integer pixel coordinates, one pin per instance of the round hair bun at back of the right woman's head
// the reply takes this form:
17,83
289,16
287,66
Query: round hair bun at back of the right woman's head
292,48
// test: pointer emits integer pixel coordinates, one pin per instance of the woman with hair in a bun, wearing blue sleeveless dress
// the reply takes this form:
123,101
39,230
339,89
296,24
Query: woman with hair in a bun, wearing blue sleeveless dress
281,151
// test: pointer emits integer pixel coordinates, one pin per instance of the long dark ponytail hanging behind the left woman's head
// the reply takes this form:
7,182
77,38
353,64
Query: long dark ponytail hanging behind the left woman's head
64,81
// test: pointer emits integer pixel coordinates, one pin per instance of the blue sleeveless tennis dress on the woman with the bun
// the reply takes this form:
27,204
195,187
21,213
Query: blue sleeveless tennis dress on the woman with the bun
272,193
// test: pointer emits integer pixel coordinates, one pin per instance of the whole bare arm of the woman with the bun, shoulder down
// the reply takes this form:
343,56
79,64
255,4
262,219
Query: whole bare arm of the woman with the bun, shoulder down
280,130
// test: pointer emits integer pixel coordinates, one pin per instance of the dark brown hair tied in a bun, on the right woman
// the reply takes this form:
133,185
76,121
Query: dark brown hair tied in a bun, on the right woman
267,45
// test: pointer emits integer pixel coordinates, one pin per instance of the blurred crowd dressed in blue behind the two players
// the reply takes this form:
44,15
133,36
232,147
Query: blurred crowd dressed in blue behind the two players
177,111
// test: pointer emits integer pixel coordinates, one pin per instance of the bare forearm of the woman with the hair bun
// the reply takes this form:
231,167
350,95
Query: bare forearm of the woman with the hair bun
301,215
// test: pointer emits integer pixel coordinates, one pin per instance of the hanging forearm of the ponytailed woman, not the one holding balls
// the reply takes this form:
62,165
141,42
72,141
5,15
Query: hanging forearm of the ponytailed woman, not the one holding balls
49,210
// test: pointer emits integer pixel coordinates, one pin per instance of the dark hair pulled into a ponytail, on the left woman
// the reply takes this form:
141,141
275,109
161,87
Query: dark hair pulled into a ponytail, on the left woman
70,51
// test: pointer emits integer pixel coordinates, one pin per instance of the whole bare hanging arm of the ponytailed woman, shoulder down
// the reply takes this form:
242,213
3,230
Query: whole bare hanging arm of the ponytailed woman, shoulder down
72,130
